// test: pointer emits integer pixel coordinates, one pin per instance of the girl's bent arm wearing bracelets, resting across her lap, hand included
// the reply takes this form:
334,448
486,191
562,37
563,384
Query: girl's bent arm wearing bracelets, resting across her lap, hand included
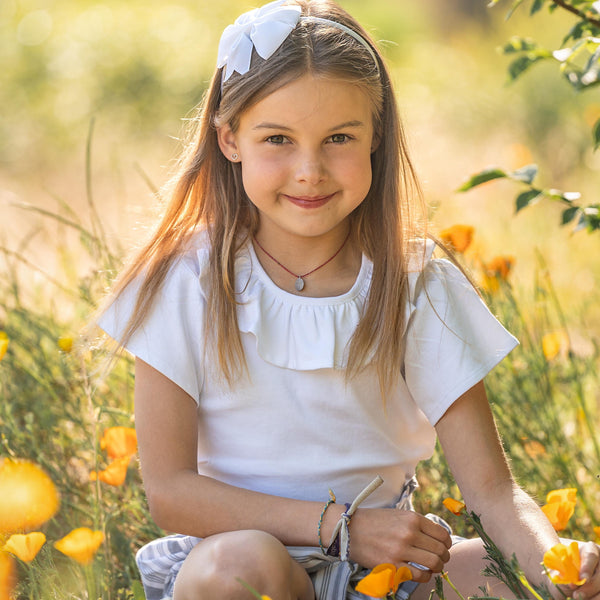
181,500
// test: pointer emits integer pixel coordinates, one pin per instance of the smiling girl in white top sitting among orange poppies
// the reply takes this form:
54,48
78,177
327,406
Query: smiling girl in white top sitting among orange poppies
297,348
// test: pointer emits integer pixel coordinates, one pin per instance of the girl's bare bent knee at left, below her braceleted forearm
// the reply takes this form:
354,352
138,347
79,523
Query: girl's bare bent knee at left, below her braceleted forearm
211,570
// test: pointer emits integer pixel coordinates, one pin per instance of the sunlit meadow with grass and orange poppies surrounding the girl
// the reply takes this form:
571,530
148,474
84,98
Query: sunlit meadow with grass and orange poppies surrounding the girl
72,506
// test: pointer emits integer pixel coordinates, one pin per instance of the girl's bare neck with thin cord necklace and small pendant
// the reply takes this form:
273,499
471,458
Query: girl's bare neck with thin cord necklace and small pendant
327,266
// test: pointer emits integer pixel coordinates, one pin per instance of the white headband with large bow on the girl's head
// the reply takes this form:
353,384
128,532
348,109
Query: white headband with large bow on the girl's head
266,29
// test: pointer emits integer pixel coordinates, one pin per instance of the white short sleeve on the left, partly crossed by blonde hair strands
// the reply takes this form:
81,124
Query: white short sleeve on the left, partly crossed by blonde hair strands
170,338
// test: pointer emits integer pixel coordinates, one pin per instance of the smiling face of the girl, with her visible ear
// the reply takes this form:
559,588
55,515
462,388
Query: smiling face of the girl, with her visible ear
305,153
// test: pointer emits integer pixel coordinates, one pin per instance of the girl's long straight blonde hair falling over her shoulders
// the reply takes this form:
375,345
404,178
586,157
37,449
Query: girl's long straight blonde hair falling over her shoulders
207,193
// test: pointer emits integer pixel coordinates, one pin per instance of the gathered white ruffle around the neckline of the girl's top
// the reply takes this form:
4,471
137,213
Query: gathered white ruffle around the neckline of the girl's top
299,332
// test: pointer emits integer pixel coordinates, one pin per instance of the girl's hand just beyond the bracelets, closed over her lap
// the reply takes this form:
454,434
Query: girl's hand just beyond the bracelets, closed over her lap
398,537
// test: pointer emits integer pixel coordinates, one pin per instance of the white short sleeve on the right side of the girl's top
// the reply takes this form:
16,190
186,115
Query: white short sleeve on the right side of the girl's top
452,338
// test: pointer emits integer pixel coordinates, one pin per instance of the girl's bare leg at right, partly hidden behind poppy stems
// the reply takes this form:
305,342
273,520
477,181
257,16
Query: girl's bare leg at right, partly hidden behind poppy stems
464,570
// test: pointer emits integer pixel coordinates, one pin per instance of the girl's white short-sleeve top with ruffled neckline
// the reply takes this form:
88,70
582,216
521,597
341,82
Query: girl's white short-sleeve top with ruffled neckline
295,427
